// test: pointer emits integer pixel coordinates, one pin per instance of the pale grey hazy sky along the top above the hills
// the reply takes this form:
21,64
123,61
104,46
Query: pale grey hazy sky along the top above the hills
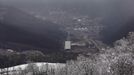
125,6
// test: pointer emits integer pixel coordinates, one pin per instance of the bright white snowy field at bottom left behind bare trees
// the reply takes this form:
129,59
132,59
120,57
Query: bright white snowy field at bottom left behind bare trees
39,65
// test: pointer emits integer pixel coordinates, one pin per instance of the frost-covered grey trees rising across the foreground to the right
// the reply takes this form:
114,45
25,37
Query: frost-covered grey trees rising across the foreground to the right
117,60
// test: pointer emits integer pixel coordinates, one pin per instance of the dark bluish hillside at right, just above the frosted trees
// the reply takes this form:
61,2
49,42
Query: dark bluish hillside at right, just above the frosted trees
114,33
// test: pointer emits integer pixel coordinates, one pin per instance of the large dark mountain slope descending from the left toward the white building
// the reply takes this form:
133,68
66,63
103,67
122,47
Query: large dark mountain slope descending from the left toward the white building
22,28
